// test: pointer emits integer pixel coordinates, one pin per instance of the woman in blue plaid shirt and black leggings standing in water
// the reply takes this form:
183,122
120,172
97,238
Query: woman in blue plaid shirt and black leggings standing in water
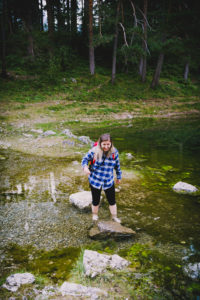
102,160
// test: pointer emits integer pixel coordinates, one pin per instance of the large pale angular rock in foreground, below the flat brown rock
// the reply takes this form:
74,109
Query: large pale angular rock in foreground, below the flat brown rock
95,263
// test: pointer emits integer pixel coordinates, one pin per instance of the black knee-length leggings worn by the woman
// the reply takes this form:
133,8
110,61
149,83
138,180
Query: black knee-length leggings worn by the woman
96,194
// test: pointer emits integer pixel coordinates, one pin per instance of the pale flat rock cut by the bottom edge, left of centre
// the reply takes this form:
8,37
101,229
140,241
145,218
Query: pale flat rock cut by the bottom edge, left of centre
79,290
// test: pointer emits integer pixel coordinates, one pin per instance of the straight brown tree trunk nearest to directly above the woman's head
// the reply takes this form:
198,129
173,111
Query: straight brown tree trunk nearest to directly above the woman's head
91,47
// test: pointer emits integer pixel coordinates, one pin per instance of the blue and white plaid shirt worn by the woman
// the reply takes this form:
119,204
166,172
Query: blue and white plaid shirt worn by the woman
102,170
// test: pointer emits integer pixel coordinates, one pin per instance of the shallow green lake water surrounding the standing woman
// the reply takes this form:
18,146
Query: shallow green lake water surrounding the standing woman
36,213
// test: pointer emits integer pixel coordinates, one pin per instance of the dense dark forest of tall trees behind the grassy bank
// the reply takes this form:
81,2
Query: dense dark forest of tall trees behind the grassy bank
130,36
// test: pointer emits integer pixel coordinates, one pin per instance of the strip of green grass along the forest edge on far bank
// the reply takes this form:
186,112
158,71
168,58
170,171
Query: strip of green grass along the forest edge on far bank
128,87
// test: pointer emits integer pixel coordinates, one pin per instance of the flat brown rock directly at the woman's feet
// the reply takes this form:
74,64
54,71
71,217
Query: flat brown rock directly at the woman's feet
105,229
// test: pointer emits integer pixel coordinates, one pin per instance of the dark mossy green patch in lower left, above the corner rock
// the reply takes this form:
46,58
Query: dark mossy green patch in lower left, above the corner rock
54,265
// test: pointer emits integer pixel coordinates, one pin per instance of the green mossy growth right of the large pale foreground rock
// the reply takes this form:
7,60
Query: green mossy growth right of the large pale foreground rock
156,274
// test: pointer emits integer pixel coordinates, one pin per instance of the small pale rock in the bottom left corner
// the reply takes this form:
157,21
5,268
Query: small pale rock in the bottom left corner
13,282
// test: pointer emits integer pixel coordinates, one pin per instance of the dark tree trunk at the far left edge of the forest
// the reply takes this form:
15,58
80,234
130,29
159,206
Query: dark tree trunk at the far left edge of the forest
3,33
